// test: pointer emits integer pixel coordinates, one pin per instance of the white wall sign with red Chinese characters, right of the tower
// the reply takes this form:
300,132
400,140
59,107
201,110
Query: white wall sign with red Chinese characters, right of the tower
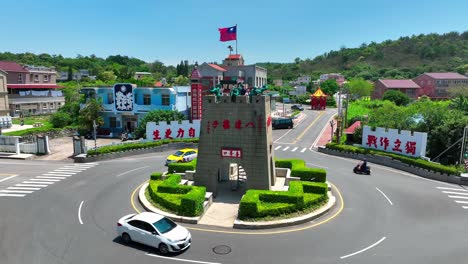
390,140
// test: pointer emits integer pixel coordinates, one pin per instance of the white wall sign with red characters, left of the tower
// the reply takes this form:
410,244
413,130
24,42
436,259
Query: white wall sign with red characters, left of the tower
174,130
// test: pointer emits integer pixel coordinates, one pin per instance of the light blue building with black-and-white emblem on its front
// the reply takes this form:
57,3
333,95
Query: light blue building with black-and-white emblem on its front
125,104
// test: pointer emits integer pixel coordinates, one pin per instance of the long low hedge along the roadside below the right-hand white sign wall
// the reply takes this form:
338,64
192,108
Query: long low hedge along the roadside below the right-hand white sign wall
405,159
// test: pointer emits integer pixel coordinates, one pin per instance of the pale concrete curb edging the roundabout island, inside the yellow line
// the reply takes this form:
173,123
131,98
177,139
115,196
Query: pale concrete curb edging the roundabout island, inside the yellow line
238,224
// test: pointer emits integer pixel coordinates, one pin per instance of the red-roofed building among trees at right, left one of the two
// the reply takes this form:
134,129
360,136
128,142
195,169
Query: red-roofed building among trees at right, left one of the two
408,87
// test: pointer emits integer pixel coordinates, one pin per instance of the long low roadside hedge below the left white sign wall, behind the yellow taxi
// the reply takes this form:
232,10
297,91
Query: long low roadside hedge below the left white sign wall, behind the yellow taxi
136,145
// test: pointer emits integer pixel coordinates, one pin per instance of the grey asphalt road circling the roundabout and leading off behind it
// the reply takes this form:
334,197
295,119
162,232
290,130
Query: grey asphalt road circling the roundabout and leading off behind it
388,217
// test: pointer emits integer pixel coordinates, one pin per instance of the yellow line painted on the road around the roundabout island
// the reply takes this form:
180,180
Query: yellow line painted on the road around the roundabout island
260,233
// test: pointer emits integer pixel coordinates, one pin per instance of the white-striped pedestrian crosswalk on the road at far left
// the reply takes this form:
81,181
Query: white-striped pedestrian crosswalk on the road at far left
46,179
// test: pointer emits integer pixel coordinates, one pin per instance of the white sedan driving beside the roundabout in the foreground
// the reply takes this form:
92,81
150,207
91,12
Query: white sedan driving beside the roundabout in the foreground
154,230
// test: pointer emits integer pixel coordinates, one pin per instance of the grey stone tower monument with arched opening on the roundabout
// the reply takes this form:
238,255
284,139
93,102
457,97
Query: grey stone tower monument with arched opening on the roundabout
237,130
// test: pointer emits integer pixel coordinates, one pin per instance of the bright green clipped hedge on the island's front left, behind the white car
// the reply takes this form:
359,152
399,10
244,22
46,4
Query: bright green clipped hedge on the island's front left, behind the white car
182,199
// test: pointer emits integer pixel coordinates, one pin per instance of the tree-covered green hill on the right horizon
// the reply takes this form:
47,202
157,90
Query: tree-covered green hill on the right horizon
406,57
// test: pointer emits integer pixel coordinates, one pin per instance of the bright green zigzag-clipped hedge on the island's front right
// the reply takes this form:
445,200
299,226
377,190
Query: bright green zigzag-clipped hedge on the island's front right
301,195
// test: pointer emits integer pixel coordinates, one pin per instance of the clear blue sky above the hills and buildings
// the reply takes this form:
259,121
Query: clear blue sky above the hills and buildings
174,30
